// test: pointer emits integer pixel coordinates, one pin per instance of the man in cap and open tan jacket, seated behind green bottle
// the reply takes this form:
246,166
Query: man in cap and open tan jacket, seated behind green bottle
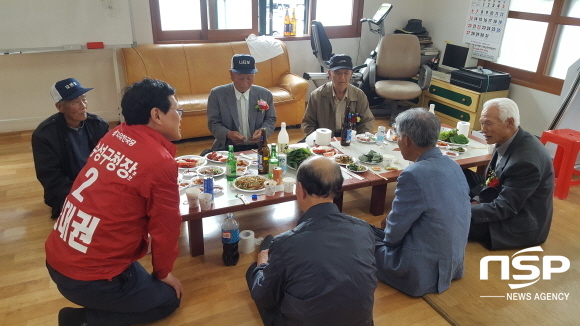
329,103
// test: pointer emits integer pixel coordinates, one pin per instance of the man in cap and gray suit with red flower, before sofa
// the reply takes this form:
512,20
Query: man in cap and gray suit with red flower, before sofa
236,112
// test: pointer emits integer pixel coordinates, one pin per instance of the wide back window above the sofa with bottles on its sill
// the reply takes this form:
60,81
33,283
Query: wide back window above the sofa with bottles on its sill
233,20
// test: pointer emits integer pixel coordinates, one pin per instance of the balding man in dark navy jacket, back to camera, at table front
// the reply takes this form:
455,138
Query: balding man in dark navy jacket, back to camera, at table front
323,271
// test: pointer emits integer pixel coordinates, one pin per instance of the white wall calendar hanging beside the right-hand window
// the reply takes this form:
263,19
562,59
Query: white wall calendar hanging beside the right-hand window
484,27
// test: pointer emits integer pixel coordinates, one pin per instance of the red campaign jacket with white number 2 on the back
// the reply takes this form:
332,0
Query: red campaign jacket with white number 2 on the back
127,190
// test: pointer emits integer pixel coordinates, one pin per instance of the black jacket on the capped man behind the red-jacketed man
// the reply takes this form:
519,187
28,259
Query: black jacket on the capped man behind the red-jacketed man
53,158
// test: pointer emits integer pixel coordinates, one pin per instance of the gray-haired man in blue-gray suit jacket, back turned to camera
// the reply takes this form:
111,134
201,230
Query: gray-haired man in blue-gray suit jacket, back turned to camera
421,249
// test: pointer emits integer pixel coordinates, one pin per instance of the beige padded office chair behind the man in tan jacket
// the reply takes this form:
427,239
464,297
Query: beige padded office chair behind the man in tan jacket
398,61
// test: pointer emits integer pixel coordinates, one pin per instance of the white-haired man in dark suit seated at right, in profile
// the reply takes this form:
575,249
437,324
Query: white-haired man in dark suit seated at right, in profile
514,209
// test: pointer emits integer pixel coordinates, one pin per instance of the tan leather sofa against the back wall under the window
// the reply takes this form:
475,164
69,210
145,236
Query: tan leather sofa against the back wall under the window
194,69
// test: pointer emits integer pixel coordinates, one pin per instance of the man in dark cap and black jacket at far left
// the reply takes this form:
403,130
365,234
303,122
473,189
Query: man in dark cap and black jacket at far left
62,143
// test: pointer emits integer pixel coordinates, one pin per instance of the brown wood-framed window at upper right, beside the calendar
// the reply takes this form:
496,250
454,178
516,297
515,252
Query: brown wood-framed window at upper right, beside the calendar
539,43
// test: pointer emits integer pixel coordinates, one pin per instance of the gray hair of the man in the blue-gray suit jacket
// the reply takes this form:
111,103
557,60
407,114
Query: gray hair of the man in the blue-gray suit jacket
420,125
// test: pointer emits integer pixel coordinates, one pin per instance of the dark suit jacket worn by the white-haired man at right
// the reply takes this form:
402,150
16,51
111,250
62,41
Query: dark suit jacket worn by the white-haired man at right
521,215
